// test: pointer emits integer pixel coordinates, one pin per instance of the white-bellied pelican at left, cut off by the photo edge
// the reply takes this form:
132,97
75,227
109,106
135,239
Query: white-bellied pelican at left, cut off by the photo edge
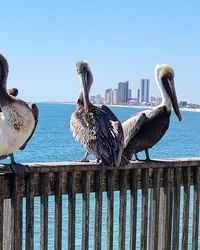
18,120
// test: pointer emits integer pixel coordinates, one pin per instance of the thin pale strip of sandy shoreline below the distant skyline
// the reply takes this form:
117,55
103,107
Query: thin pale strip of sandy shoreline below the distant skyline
123,106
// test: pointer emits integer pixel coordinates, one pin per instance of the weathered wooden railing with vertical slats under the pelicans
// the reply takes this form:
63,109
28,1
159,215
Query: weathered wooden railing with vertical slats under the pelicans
160,222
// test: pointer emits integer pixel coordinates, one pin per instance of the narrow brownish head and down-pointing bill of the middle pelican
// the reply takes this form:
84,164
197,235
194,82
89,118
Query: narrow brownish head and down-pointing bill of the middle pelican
86,79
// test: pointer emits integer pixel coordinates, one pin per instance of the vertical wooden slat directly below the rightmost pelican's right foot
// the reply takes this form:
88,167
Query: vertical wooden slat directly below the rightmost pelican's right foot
144,214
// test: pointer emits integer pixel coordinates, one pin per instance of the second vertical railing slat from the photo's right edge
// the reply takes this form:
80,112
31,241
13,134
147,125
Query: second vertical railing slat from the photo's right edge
186,181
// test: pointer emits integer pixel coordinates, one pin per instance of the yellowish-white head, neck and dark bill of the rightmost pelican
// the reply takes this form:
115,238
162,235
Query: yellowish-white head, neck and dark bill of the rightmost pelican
164,74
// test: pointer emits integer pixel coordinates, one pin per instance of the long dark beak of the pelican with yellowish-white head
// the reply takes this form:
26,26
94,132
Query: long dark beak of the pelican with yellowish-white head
170,88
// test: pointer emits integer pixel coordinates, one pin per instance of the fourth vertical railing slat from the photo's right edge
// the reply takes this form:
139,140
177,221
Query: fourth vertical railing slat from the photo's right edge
167,209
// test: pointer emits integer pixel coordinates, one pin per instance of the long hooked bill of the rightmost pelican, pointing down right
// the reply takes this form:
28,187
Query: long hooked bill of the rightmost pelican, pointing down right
173,97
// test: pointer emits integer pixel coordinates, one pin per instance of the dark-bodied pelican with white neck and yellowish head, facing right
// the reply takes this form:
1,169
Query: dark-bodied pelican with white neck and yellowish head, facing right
154,123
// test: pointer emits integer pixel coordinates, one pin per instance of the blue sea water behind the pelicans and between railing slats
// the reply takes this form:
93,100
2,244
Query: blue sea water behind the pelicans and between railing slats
53,141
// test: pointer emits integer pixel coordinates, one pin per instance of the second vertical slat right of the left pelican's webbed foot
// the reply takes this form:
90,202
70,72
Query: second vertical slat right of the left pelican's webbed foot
44,212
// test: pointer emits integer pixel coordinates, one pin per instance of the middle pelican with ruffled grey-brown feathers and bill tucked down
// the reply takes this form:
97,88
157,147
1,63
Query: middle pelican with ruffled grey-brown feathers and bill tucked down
96,128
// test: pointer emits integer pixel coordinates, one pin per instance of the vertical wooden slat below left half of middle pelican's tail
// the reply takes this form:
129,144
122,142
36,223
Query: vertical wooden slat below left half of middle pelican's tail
110,209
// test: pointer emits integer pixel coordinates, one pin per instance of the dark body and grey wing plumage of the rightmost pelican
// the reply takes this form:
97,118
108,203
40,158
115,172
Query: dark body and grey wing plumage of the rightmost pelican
153,125
